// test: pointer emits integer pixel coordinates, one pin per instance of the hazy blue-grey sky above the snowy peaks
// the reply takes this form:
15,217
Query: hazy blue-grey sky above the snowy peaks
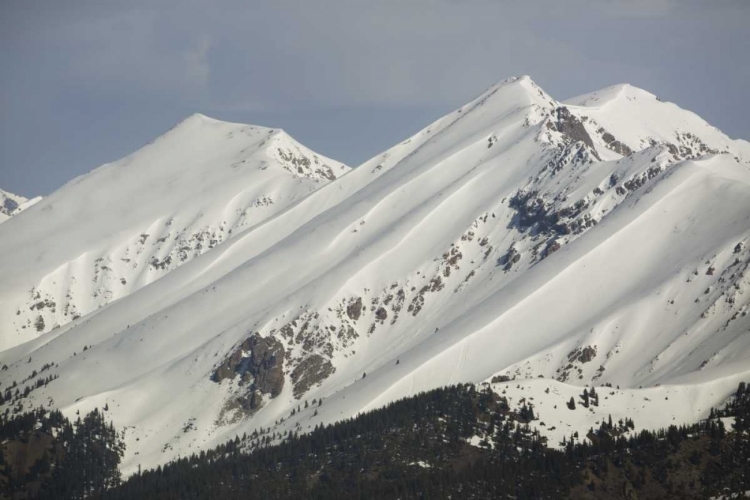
85,83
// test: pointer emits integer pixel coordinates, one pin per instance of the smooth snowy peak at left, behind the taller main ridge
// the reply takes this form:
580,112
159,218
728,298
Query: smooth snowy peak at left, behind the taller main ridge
112,231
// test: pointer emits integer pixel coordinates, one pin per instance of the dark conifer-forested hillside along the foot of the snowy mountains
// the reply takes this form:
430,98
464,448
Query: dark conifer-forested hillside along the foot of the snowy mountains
460,441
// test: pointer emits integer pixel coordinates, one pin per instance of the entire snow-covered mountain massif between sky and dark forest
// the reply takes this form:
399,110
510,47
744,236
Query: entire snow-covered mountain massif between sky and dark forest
602,240
